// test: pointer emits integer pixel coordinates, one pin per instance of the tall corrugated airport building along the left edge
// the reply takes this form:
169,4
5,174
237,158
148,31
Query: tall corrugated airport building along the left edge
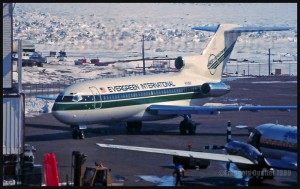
17,159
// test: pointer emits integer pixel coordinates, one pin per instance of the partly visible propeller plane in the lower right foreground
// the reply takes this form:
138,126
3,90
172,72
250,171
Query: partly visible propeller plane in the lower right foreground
269,146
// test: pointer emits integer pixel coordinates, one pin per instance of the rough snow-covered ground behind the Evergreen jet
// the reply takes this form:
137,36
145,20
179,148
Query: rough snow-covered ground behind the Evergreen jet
113,31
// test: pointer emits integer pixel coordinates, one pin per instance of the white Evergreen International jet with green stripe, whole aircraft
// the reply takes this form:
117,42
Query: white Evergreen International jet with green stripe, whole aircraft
158,97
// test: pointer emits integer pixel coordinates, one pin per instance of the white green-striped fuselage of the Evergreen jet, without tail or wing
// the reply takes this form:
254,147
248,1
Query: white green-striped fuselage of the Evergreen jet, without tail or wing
123,99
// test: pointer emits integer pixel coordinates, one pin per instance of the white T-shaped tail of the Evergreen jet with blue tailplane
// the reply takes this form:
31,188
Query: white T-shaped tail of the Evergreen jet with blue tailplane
215,56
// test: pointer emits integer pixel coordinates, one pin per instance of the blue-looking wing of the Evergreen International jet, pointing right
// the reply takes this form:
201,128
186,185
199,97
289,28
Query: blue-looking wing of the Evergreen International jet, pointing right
179,110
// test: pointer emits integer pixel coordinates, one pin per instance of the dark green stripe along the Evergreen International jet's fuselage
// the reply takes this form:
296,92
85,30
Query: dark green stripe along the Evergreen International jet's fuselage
62,106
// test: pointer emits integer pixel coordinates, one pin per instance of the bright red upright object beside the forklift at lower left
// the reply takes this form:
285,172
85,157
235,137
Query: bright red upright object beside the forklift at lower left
50,170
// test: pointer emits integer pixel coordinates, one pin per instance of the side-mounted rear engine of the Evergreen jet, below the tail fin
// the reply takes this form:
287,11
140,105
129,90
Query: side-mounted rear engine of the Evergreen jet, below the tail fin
215,89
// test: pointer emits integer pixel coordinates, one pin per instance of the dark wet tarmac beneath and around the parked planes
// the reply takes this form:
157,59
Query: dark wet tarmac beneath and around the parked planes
132,168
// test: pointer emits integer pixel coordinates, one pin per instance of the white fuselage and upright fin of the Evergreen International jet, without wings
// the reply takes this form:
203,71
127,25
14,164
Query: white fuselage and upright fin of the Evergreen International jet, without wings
127,99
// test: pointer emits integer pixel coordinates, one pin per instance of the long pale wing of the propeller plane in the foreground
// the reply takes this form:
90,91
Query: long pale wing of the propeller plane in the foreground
200,155
